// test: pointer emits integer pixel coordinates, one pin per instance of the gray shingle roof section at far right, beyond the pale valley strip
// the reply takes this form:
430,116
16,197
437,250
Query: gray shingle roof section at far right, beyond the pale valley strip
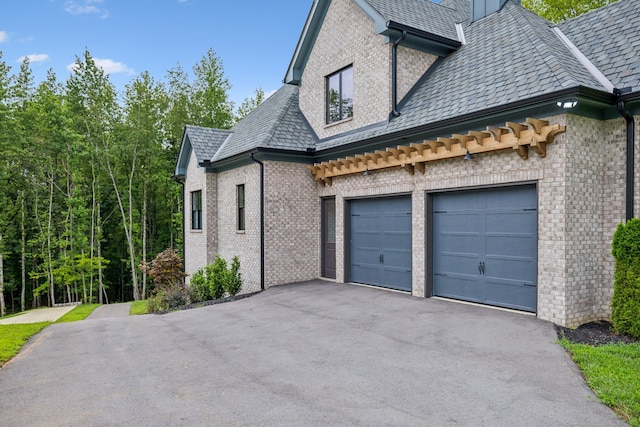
610,38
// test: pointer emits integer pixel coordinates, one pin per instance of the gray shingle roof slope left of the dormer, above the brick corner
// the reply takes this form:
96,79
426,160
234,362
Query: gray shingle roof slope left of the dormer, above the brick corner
277,123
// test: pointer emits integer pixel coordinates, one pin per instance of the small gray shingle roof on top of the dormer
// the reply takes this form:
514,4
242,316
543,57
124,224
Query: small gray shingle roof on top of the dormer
420,14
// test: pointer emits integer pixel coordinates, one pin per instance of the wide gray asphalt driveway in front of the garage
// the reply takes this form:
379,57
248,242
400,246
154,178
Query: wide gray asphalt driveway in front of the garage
315,353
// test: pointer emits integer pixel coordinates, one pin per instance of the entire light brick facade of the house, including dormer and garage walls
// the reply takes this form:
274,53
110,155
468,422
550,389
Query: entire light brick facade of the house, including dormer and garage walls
580,186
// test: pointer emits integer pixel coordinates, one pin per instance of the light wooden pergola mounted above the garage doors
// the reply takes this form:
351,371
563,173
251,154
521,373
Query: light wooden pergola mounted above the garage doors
534,134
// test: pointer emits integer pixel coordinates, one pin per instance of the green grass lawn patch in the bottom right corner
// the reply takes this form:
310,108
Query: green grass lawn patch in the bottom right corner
613,373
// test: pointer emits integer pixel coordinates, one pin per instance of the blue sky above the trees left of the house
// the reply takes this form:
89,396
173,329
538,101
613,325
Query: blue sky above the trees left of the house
254,39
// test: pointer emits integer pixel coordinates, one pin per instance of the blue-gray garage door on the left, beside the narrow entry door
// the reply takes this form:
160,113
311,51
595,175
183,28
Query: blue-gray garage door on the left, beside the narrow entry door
381,242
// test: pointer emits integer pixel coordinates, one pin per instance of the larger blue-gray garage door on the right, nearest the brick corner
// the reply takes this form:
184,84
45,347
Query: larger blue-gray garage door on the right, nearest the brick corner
485,246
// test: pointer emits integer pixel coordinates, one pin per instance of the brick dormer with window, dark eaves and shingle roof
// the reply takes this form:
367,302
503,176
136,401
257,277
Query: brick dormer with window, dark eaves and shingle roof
347,57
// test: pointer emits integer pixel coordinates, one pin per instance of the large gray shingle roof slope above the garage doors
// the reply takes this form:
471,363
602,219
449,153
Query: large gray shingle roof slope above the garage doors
510,55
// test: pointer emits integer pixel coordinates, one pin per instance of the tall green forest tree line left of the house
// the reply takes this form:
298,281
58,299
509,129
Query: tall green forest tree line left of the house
86,185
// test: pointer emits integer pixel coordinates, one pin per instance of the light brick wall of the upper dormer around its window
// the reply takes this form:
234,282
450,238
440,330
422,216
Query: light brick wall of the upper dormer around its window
371,60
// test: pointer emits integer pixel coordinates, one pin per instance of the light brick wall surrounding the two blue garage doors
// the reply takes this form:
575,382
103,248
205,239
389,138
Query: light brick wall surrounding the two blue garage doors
578,207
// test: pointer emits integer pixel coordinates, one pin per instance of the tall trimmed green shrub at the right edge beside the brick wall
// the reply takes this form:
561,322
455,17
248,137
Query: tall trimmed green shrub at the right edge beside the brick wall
625,304
